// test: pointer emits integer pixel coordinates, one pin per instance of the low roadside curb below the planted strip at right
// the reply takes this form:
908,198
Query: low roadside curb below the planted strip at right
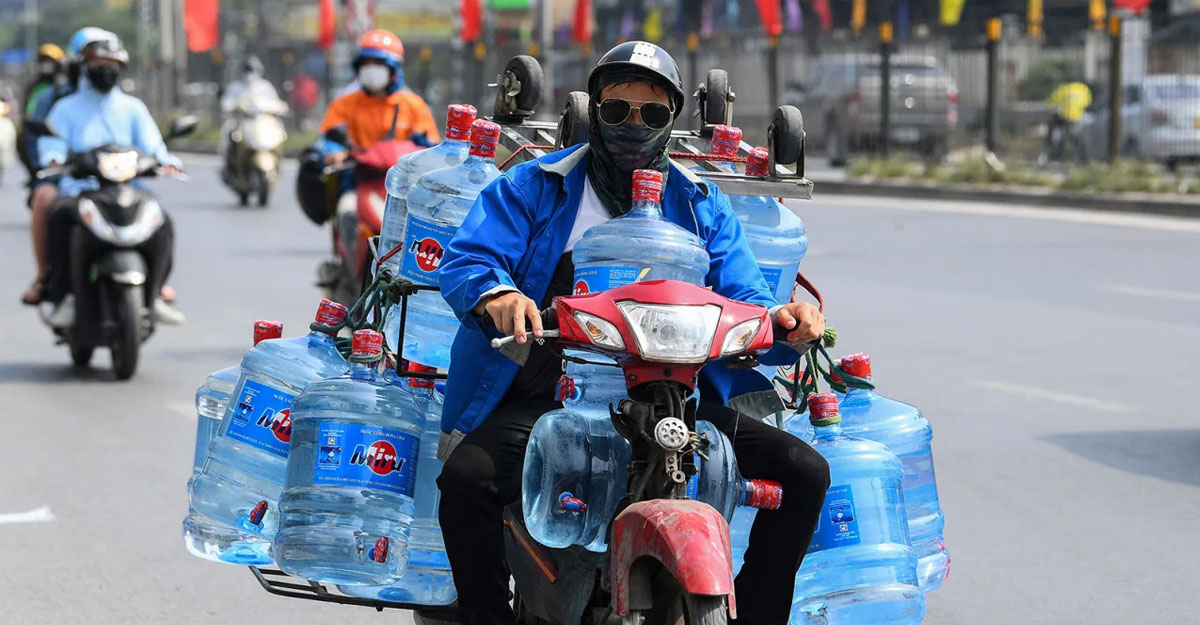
1145,203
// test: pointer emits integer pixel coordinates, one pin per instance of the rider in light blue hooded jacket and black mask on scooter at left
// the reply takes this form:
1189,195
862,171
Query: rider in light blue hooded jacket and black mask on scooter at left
100,113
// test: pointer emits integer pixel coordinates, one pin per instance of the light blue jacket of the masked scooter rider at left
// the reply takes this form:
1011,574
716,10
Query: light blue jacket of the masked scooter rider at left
88,119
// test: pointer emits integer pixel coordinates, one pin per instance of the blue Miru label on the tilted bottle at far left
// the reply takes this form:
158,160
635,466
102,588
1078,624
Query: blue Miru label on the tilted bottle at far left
262,417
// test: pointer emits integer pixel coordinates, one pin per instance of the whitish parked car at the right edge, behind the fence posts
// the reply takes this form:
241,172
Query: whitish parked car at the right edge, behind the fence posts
1160,122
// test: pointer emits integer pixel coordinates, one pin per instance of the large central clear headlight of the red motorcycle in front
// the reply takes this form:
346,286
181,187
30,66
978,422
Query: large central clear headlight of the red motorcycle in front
670,333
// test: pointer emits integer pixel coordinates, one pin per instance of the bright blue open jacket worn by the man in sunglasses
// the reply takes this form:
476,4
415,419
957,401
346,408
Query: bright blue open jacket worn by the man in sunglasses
515,235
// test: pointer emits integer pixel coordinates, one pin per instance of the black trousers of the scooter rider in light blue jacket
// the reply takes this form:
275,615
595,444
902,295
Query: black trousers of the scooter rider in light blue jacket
158,251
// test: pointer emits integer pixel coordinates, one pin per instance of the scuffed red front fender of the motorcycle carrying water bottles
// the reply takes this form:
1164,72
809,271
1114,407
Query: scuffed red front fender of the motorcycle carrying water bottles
689,539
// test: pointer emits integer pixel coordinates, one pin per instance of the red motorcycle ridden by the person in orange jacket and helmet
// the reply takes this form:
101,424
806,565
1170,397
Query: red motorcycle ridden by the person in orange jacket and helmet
358,215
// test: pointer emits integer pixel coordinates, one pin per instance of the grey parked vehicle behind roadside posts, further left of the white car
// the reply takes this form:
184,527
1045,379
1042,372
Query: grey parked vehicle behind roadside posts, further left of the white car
842,104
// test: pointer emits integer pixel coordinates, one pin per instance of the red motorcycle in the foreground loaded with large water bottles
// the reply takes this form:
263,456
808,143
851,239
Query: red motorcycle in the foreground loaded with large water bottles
669,557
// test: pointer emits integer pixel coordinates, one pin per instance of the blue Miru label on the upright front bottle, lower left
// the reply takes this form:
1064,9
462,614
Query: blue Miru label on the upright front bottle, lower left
374,458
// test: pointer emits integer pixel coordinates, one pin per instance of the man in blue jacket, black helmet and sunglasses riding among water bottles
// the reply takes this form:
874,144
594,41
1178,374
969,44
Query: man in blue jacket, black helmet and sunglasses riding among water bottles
514,253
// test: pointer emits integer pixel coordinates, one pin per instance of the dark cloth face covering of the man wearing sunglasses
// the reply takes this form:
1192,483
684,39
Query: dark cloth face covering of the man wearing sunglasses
617,151
